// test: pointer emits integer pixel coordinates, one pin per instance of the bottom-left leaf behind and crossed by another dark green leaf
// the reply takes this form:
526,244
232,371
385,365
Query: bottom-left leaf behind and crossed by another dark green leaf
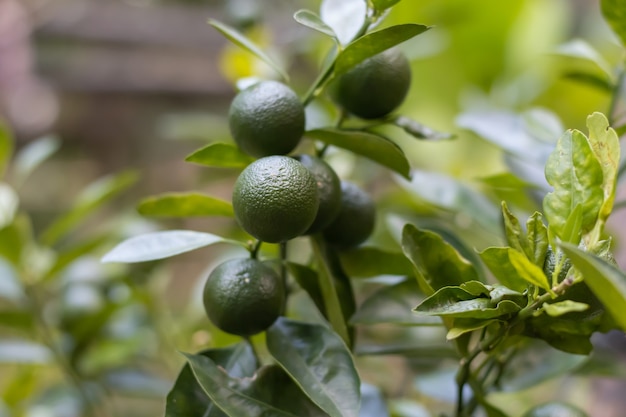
187,398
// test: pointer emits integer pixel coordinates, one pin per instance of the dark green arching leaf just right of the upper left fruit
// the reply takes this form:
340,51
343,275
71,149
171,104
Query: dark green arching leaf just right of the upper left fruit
370,145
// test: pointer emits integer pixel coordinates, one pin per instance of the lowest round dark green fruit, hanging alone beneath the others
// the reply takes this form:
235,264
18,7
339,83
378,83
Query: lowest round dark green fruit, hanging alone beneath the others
243,296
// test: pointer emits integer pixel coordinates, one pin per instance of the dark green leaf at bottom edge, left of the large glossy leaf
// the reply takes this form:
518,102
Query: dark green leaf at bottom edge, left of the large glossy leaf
228,393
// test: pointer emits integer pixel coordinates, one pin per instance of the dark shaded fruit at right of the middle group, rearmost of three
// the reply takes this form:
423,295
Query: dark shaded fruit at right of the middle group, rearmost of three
356,219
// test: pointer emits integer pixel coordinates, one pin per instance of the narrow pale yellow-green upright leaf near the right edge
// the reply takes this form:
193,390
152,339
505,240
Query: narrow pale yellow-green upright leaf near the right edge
605,145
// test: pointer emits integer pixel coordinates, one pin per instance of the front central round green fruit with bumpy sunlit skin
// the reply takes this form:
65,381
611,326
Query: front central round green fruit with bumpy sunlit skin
275,199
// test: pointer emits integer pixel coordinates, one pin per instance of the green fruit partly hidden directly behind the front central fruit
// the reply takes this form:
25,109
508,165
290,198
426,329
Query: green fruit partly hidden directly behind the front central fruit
329,191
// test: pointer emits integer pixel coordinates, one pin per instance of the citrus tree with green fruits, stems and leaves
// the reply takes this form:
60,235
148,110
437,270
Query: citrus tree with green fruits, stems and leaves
542,288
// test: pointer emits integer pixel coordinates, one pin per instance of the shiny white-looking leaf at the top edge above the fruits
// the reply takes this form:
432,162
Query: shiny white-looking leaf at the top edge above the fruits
345,17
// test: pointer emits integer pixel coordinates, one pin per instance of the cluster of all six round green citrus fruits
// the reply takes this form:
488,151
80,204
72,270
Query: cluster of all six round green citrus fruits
278,197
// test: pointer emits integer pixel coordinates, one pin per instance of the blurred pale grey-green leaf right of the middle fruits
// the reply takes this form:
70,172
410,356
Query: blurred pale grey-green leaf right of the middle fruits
451,194
